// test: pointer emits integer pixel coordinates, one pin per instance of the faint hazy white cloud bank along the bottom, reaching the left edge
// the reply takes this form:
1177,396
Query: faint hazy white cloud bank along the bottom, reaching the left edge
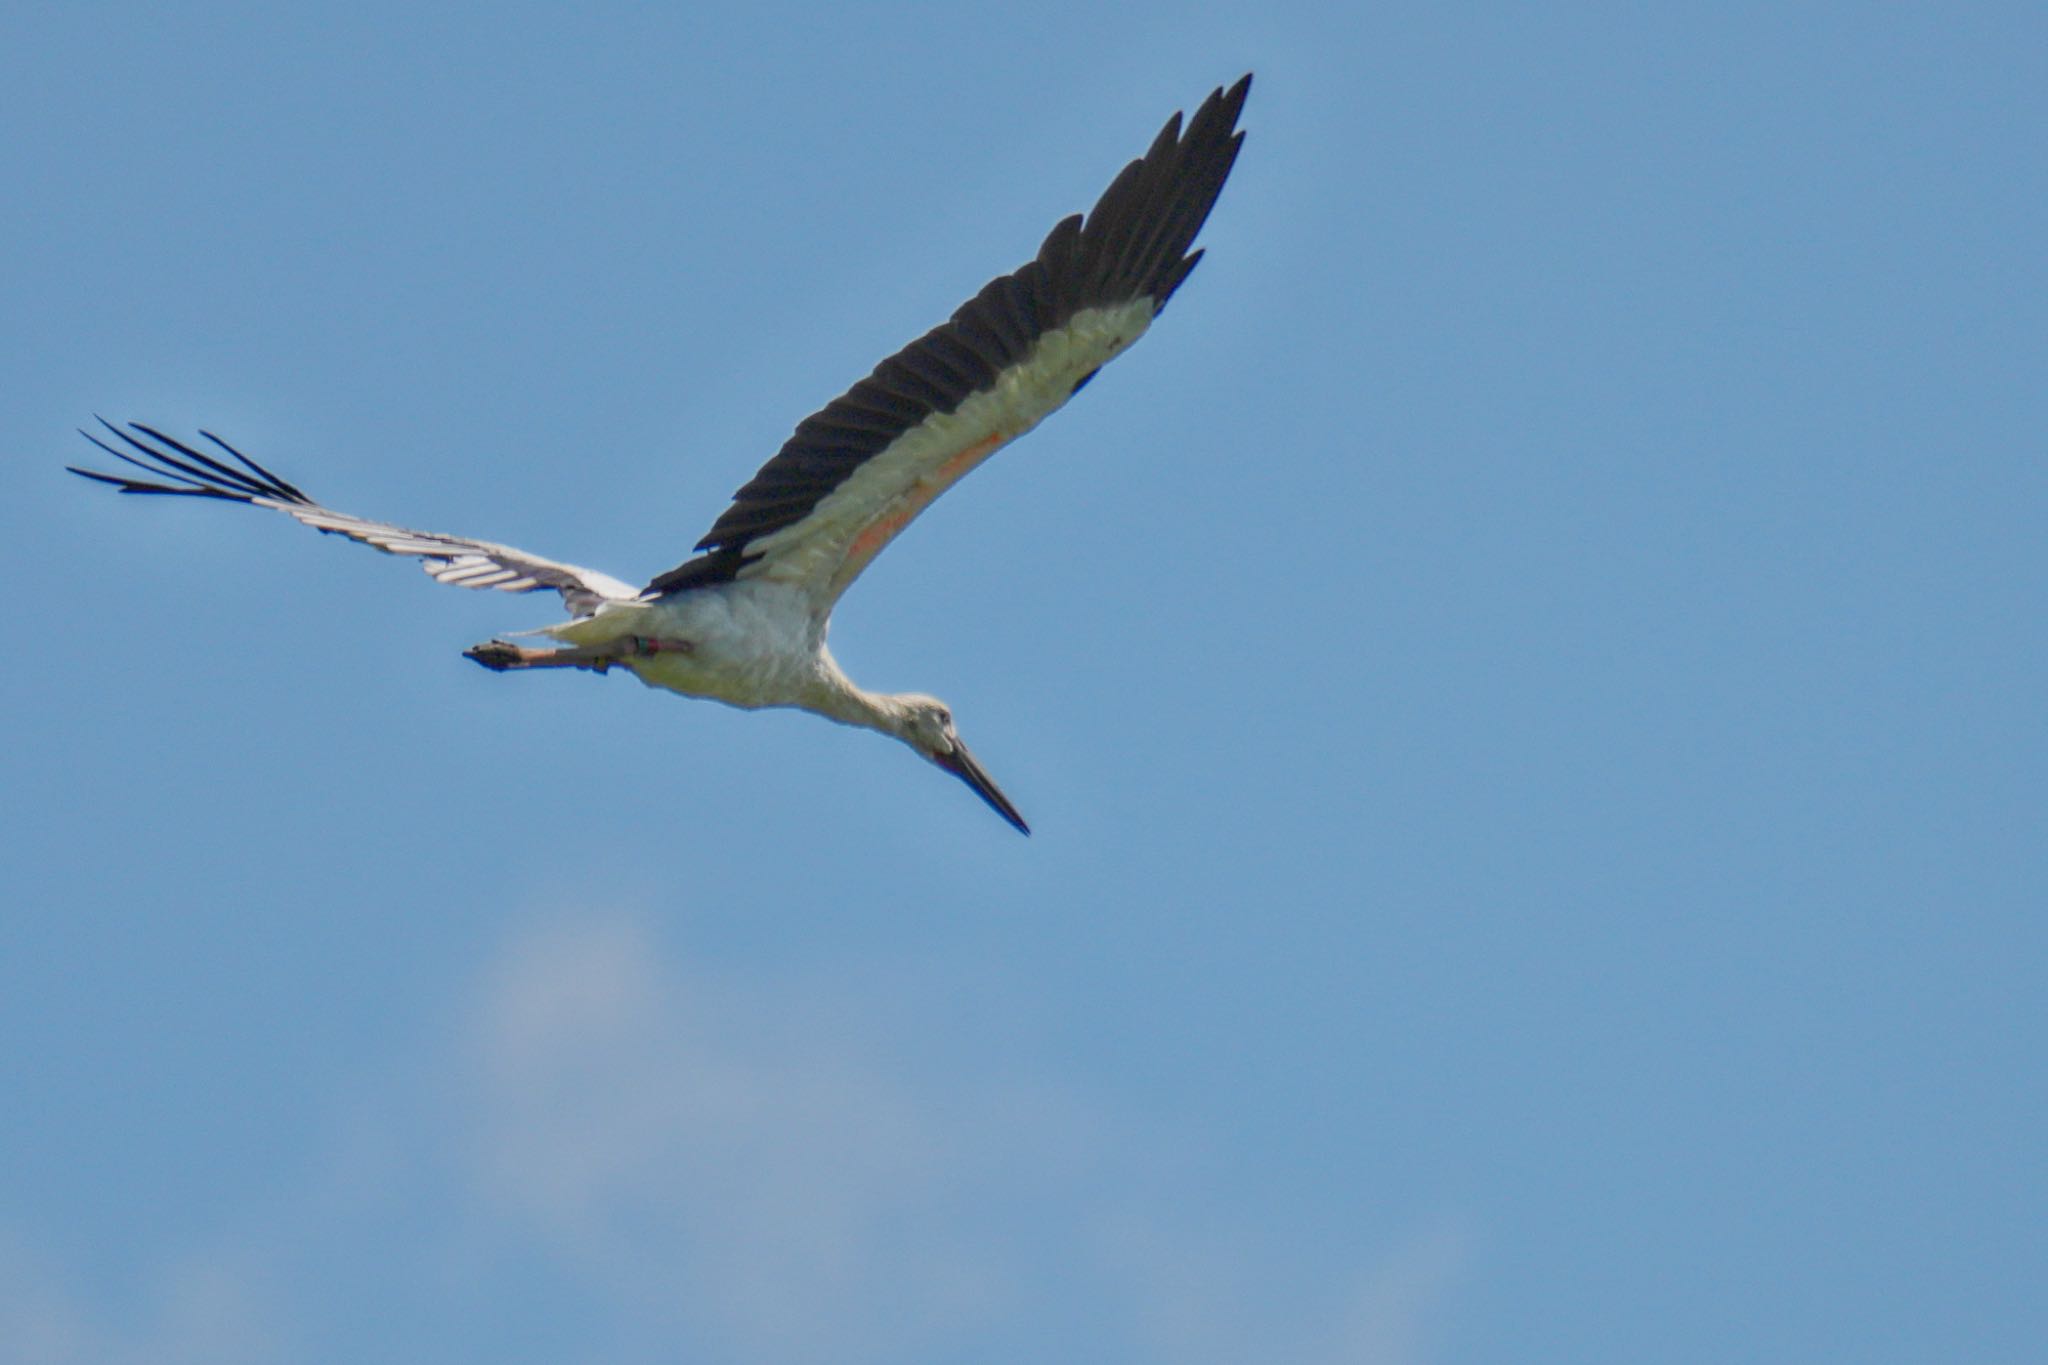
673,1163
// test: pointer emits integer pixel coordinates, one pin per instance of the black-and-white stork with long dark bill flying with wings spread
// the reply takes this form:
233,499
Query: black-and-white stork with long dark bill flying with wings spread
744,619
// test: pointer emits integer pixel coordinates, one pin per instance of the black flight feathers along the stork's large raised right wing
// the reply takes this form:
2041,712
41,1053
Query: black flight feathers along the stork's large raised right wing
1134,245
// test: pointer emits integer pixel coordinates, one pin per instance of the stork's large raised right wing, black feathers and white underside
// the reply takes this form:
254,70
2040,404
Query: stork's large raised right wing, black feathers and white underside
857,472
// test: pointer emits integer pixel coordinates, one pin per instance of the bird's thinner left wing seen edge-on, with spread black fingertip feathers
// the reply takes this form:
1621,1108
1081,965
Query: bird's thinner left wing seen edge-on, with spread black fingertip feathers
450,560
